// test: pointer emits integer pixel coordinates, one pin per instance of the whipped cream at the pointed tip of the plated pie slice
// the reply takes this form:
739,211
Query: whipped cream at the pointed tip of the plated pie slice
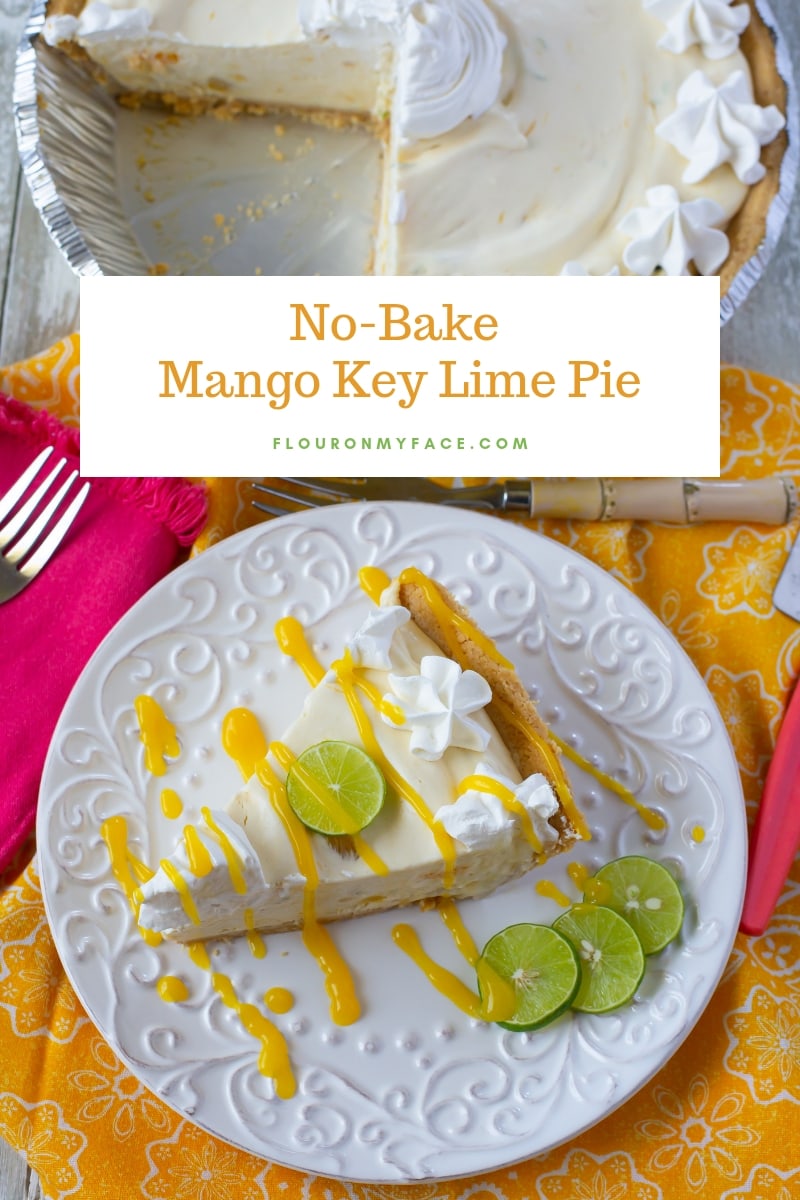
213,895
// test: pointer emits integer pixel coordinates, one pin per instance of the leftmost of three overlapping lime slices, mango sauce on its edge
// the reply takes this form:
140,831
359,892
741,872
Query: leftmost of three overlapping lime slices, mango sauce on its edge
543,969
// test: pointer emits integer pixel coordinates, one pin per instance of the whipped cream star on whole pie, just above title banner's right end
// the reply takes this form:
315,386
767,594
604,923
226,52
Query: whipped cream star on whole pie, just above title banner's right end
671,233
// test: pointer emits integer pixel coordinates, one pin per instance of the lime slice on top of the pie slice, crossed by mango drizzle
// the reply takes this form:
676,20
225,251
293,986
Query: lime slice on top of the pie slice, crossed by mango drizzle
335,788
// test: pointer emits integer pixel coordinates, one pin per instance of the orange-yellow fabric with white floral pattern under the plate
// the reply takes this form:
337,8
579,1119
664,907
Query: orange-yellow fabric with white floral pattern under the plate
721,1121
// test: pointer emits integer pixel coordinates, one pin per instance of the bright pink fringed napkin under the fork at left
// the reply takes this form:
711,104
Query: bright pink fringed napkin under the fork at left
127,537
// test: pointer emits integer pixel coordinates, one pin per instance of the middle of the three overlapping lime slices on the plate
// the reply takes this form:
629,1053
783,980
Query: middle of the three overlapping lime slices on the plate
612,959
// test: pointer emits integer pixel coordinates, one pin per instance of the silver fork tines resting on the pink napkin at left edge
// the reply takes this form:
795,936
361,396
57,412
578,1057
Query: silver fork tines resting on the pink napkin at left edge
34,526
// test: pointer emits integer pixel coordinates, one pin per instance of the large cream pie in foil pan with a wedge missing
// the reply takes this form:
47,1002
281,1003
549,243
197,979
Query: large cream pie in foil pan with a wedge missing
519,137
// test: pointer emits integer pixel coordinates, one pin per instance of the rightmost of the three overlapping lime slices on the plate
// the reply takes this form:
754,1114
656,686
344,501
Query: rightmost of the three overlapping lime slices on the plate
646,895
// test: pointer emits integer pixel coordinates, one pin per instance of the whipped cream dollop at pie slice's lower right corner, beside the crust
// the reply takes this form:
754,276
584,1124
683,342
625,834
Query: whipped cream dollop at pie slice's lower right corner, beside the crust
476,819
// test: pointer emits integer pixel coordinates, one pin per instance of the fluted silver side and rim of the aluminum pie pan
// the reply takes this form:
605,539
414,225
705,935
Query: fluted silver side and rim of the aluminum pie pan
68,134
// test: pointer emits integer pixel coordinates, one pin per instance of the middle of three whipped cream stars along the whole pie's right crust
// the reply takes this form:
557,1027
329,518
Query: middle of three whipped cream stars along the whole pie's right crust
714,125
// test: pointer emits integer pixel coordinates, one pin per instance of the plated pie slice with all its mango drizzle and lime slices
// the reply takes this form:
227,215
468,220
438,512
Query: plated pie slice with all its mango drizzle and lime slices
417,773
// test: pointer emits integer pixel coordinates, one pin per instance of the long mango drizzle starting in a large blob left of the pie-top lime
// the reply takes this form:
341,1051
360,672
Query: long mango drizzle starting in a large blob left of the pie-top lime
245,742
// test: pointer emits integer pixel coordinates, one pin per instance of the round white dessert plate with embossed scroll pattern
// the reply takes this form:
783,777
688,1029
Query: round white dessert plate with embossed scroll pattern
414,1090
